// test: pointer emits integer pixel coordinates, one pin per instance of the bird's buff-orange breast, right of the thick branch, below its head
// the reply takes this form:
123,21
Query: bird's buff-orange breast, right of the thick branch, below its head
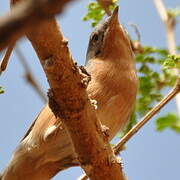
114,88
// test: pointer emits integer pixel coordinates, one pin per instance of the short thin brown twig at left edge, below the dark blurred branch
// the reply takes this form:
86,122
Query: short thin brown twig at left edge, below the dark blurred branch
5,59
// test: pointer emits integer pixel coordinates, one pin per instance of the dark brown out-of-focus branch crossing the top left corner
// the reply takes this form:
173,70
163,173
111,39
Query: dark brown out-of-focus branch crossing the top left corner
25,15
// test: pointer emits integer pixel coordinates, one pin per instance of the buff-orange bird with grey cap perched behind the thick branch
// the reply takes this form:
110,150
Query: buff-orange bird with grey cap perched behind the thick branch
46,148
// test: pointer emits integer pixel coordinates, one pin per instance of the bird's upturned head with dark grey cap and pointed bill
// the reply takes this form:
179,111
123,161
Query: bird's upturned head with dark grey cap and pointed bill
109,40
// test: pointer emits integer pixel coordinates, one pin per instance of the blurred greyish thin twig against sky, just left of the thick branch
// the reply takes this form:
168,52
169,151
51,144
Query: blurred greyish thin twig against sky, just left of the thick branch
29,76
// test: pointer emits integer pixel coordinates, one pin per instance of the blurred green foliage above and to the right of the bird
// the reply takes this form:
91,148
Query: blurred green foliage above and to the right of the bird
155,68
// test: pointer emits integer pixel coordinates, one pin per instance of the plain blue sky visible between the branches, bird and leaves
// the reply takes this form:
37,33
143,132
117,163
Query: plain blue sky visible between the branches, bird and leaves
150,155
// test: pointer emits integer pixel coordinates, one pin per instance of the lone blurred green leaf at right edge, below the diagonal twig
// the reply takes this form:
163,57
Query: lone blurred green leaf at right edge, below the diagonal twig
170,120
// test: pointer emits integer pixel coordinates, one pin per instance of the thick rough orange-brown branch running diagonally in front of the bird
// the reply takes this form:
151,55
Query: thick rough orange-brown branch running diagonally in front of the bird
70,103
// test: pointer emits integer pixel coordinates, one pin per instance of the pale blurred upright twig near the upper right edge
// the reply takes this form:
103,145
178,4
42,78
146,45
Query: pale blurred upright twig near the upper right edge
169,22
